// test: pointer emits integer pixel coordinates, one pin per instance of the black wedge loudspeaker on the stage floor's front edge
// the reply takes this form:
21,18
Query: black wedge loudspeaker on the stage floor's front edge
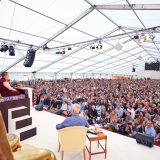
145,139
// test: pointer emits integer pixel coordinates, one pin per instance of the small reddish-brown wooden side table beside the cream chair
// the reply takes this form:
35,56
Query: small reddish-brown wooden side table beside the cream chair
98,137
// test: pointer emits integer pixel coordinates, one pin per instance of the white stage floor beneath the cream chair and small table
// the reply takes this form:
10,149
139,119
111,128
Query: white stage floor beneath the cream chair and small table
119,147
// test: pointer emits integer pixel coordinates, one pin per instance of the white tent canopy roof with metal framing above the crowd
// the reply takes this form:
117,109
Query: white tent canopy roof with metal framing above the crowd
79,24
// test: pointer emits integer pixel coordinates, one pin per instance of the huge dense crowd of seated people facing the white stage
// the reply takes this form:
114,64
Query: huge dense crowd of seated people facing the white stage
122,106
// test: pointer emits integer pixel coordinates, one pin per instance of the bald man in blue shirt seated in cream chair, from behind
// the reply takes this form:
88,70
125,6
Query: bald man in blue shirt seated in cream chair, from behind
74,120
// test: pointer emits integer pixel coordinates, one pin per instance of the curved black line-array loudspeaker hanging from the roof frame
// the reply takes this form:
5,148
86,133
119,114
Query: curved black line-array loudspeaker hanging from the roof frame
29,58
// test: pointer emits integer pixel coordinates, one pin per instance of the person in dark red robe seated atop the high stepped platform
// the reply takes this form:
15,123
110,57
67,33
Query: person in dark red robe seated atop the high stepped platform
5,89
